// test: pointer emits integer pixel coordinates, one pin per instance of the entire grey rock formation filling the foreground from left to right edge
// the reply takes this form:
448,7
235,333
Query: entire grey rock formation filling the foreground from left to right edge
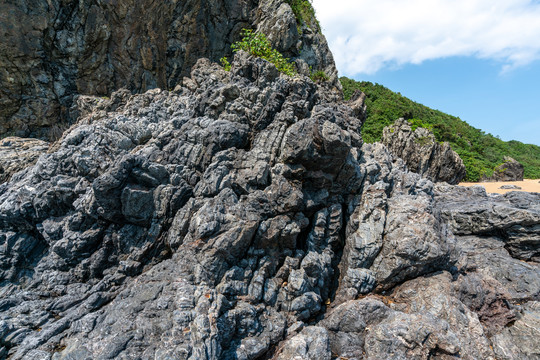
241,217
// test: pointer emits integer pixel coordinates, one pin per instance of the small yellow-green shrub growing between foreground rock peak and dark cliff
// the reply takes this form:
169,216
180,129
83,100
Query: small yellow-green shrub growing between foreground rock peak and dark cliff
257,44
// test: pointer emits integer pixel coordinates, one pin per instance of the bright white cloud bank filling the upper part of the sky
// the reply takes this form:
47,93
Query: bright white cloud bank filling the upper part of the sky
367,35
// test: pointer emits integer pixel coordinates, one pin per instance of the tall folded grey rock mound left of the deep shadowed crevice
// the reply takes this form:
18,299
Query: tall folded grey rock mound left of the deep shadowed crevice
189,206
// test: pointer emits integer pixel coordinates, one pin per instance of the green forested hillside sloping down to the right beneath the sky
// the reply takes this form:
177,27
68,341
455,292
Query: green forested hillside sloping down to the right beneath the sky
480,152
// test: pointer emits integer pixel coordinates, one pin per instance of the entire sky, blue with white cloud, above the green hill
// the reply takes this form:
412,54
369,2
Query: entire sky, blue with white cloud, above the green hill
476,59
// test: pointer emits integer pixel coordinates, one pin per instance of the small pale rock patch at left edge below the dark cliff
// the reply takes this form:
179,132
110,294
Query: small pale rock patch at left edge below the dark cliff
17,154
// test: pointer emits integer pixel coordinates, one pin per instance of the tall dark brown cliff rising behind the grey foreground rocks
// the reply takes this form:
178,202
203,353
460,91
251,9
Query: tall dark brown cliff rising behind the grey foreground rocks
51,51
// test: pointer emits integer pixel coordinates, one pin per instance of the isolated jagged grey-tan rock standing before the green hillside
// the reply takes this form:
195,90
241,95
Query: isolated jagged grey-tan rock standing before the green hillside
422,153
